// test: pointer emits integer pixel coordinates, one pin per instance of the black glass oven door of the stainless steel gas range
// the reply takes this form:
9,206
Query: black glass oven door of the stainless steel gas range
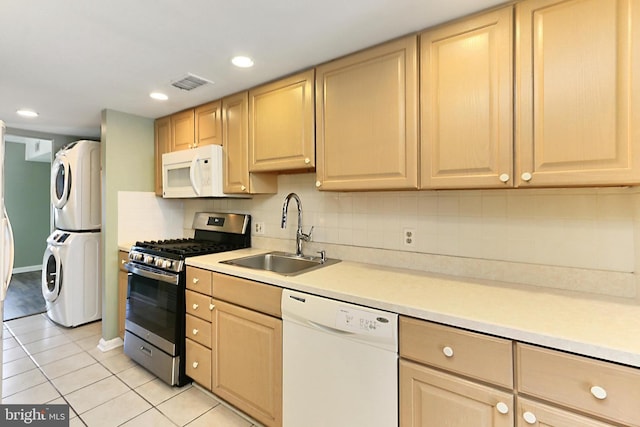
155,305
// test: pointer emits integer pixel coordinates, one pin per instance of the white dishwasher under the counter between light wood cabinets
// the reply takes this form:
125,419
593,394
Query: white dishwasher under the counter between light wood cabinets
340,363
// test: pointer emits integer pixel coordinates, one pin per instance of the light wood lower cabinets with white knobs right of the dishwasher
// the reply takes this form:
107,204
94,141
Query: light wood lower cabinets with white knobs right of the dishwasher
457,378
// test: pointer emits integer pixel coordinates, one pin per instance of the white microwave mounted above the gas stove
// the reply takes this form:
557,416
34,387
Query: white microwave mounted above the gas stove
193,173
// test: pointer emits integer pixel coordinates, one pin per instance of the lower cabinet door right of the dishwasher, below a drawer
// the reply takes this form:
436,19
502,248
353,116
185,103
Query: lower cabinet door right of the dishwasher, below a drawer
430,398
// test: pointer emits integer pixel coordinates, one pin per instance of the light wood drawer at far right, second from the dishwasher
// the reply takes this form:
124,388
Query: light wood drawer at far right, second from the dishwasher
595,387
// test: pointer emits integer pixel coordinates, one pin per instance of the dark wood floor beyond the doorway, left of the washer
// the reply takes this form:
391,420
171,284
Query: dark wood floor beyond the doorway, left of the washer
24,296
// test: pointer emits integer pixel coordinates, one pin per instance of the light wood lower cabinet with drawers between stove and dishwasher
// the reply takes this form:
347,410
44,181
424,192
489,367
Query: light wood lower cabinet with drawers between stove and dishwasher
233,347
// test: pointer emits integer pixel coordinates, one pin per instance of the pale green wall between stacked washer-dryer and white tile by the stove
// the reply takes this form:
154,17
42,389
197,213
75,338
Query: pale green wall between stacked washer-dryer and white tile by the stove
127,165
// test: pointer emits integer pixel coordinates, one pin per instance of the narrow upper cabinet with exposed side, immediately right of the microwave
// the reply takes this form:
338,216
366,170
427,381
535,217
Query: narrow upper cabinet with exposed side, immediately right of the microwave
235,126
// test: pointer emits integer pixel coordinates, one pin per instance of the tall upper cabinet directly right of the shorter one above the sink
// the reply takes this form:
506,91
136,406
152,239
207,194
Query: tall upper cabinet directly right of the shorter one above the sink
367,119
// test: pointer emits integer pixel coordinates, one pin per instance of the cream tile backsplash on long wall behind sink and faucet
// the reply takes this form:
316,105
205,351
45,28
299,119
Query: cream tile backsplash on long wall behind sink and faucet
545,233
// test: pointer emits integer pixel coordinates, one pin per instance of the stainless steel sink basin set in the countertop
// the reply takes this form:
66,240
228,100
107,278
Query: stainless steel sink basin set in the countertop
281,263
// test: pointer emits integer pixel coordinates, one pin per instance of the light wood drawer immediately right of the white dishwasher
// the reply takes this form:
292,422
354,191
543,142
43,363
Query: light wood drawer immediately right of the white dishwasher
475,355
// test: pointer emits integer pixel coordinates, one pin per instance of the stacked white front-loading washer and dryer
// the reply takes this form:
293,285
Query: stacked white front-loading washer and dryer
71,271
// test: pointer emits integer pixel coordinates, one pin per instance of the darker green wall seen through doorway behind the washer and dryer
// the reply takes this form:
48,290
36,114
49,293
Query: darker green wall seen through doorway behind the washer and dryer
28,204
